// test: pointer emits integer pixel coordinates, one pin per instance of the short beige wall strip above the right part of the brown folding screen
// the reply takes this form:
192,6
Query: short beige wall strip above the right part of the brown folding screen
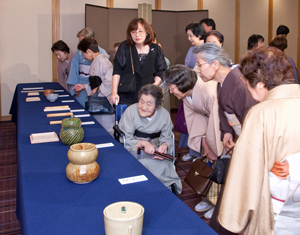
179,5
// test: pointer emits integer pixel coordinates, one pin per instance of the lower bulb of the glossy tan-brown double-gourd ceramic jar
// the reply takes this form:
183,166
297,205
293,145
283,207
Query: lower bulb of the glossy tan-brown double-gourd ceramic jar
82,174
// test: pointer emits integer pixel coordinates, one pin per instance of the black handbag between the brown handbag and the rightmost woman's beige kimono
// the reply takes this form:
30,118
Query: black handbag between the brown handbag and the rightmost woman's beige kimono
220,169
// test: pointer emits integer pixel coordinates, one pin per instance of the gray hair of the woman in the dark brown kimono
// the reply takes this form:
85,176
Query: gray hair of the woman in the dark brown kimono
211,52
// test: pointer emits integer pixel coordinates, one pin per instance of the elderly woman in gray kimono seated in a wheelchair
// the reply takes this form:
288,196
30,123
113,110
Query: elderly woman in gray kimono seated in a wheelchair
148,125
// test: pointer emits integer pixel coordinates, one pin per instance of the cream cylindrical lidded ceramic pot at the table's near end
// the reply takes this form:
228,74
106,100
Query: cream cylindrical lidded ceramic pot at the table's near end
123,218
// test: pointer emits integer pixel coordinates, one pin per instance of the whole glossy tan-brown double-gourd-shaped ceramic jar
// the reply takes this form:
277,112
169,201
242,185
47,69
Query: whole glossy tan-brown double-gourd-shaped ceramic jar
83,167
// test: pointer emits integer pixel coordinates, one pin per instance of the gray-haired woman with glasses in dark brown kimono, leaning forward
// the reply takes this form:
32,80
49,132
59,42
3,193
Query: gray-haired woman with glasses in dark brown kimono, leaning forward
233,96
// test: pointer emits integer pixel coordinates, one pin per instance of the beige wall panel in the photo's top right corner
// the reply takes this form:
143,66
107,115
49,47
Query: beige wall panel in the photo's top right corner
286,13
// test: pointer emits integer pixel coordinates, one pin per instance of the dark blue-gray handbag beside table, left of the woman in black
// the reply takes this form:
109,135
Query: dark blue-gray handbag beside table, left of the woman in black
98,105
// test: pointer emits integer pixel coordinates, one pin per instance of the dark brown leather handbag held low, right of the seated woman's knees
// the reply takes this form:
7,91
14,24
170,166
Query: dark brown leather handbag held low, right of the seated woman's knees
198,178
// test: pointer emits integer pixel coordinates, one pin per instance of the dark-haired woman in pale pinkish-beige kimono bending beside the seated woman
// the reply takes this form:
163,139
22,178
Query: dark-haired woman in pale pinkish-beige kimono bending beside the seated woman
200,111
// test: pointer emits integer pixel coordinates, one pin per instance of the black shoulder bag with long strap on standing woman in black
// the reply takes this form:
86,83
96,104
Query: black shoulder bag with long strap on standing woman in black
127,83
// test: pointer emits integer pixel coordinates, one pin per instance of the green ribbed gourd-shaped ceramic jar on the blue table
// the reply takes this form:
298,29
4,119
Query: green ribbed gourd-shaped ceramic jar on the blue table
71,131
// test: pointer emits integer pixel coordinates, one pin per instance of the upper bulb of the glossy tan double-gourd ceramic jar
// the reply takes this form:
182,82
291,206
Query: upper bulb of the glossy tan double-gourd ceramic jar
83,153
